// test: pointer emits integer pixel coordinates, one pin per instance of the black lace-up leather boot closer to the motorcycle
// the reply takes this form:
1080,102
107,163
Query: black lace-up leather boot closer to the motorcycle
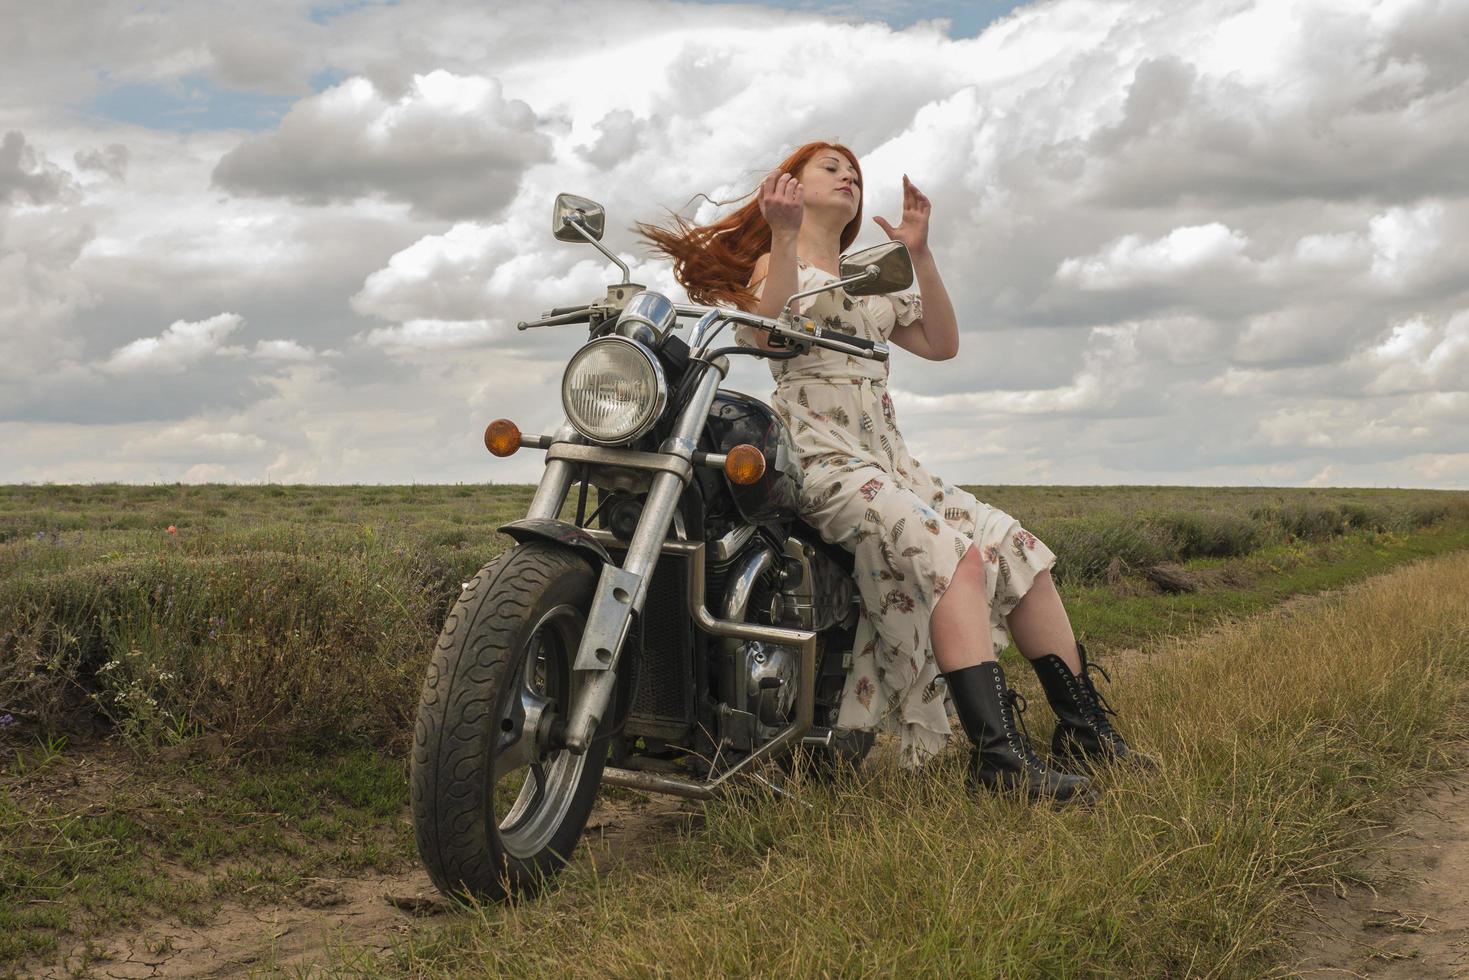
1003,757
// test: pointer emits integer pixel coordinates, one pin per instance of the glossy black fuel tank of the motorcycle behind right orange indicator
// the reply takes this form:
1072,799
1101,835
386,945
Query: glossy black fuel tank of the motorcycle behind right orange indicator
737,418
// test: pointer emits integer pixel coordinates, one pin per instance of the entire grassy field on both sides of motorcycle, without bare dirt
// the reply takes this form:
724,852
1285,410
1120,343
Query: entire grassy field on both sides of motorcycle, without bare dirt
242,665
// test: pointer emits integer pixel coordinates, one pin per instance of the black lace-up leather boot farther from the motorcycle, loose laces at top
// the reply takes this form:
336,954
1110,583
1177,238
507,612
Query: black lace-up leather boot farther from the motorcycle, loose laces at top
1085,735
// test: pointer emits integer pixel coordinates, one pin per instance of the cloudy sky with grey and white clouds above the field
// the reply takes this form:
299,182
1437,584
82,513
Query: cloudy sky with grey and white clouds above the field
1216,243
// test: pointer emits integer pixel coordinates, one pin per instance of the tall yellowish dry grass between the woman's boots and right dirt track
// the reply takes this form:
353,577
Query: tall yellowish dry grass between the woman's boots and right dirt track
1283,738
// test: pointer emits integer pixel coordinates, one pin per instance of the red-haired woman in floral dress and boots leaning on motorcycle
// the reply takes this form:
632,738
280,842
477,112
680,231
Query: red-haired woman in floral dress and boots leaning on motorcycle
945,580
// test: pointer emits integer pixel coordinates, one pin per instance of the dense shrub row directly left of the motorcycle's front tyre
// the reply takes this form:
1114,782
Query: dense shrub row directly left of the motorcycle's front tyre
255,646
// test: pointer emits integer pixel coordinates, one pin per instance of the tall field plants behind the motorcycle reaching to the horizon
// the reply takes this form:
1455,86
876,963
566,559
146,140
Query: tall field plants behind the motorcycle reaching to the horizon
290,613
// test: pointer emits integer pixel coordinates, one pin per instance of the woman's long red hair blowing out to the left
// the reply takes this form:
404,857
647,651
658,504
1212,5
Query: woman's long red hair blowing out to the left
715,262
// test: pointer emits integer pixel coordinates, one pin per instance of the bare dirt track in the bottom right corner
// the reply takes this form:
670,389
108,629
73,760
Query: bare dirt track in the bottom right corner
1417,928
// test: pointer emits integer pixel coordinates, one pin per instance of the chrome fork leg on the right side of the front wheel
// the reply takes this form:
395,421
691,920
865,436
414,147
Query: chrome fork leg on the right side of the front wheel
621,593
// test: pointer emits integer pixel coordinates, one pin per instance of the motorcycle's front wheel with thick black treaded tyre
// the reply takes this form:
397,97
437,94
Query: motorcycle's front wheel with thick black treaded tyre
497,810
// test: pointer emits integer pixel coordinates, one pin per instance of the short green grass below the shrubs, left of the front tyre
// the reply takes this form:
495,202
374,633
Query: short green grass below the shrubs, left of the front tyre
93,841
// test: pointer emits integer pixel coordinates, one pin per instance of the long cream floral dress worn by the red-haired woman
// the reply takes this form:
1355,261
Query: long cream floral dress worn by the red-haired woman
907,528
